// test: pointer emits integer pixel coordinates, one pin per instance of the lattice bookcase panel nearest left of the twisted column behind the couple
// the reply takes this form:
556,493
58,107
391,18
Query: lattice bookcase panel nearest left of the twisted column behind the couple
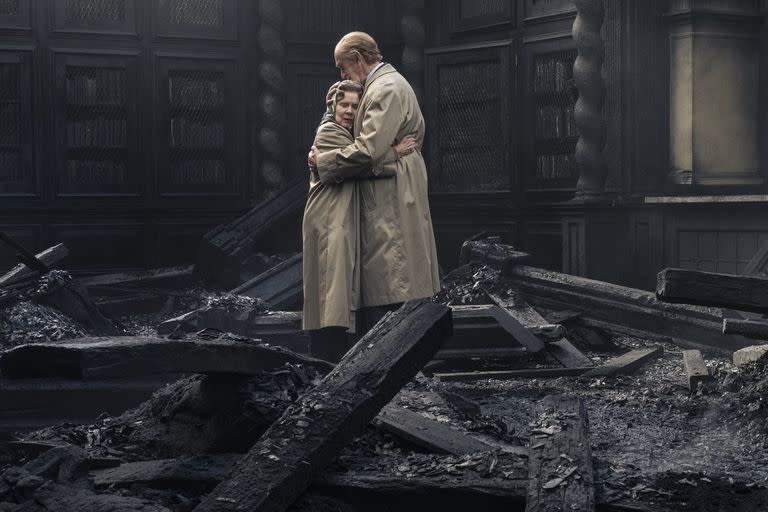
198,131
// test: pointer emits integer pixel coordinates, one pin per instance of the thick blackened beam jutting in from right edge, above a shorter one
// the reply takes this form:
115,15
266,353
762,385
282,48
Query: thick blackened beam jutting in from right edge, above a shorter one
748,293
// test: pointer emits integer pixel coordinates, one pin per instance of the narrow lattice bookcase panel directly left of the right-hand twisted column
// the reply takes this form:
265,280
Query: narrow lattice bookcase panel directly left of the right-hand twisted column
556,133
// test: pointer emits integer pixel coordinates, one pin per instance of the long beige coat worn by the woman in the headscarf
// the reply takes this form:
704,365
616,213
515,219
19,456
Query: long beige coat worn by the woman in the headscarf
331,238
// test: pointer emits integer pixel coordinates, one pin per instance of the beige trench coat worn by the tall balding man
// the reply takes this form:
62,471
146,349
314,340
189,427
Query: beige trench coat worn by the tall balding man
397,243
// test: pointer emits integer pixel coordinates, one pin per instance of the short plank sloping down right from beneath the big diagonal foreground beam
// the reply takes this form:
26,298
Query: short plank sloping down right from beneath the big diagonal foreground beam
426,433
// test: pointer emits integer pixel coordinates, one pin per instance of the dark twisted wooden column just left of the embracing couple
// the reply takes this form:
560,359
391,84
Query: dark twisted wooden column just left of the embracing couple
271,96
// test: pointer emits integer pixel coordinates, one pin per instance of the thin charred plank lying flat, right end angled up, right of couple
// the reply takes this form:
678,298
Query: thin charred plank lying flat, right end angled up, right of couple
624,364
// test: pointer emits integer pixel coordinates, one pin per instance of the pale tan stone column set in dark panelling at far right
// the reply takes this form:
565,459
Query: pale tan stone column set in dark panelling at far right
714,93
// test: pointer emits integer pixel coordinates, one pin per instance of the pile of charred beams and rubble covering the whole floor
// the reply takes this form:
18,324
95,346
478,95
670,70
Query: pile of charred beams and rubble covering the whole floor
517,387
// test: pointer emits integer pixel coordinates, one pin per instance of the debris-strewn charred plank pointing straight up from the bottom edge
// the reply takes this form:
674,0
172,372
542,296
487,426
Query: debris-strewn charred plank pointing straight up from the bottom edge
560,462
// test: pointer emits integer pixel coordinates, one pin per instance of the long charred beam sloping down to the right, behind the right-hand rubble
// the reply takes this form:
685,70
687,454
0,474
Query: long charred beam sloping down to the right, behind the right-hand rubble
626,310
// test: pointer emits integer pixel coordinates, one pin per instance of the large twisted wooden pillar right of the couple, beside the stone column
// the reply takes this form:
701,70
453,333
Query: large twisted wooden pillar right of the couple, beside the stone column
588,113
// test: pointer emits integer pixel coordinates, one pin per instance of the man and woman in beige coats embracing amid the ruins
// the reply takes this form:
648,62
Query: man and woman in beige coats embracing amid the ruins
367,230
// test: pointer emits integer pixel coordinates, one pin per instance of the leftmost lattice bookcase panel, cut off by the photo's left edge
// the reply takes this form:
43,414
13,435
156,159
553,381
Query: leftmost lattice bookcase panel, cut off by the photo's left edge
10,124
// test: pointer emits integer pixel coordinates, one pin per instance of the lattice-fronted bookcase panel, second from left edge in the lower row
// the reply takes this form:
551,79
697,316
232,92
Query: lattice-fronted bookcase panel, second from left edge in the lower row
96,127
